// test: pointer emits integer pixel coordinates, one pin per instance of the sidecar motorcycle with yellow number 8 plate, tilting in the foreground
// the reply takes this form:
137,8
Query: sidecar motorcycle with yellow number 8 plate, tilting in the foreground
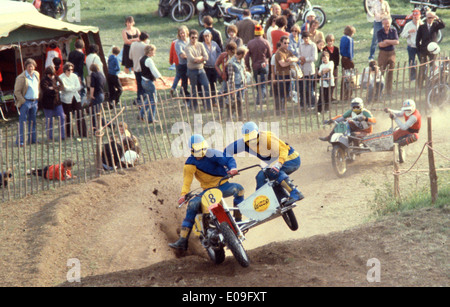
216,227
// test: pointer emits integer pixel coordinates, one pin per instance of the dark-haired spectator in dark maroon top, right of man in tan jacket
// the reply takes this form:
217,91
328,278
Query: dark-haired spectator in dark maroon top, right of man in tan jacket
50,101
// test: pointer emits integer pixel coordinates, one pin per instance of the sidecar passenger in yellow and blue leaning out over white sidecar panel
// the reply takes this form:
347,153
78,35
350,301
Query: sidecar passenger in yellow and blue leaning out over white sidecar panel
267,147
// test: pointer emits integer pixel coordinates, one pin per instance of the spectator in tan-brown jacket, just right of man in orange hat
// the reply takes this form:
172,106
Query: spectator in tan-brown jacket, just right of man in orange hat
283,60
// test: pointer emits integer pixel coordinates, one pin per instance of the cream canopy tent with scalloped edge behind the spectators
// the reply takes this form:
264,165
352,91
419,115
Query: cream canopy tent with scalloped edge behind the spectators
24,33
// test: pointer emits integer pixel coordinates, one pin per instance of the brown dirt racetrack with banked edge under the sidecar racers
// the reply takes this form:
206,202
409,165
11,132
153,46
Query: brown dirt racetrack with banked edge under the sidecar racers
118,226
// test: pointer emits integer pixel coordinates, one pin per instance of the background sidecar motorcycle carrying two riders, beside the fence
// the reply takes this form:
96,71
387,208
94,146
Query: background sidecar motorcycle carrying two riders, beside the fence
346,147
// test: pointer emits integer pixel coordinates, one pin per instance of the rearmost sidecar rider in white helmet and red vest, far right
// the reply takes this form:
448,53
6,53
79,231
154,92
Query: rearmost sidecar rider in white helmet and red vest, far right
408,131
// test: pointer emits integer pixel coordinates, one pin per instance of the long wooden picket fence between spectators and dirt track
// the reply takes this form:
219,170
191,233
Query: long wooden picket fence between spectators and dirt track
109,138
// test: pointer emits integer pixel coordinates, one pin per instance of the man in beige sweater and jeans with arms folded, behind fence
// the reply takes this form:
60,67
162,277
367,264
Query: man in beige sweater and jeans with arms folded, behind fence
196,56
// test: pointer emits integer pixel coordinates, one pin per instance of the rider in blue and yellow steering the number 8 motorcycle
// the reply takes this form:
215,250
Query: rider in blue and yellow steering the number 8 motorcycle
208,166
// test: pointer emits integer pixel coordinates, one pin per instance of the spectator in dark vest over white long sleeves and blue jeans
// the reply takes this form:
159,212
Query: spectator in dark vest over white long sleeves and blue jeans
149,75
